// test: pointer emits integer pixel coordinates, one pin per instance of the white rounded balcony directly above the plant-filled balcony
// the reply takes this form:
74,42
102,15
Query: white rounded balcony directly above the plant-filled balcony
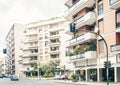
81,39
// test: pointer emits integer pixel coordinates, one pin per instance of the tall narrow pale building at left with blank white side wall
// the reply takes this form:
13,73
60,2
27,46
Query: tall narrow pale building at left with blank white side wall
13,43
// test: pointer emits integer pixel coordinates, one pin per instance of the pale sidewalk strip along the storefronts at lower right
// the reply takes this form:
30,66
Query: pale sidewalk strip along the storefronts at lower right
86,83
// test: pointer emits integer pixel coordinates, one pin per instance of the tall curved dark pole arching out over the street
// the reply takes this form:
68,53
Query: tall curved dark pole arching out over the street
107,67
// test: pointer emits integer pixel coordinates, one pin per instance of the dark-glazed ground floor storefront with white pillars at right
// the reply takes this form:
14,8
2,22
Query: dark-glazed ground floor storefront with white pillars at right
99,74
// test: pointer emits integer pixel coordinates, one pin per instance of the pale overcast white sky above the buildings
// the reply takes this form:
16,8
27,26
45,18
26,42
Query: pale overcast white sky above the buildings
25,11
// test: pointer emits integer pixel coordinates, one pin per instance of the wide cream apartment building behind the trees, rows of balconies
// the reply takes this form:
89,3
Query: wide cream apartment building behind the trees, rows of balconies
44,41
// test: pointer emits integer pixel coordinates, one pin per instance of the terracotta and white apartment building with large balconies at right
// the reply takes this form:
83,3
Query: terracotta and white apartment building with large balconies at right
87,15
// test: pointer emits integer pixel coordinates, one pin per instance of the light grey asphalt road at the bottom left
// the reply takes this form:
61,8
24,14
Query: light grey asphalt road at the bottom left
7,81
